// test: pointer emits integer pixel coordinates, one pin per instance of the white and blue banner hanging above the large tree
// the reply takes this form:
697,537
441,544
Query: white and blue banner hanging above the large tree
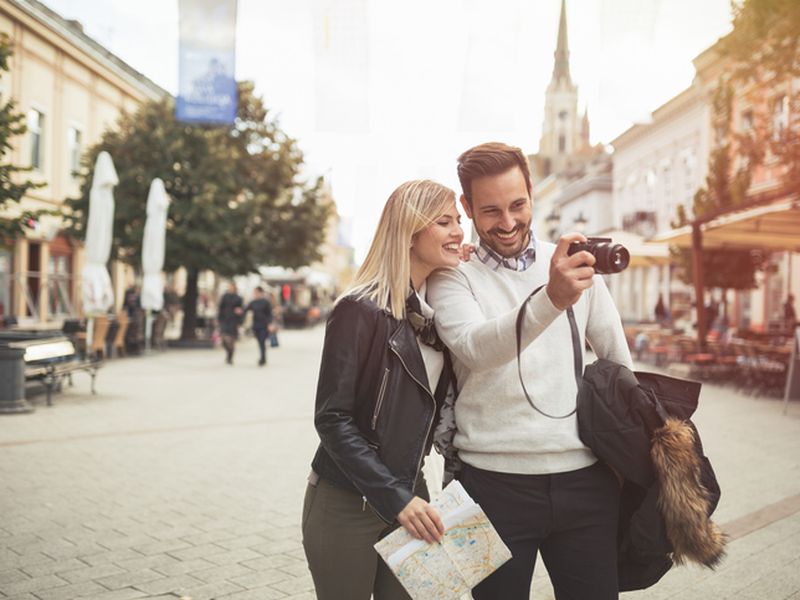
207,62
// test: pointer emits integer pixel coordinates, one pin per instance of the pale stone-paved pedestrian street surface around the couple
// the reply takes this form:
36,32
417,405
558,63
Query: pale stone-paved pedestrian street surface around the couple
183,478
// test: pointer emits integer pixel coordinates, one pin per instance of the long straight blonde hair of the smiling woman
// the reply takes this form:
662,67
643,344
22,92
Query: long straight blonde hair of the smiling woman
386,272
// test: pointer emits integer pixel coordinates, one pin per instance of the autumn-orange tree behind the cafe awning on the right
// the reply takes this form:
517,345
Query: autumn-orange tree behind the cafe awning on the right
762,56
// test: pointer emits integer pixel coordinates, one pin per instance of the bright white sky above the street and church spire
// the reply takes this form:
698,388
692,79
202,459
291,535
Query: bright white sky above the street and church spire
379,92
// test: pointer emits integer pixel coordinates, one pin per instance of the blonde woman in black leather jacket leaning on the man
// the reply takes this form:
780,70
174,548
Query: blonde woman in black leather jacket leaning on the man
382,378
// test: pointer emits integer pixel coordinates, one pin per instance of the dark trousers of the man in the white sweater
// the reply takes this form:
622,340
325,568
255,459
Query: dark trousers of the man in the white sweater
570,518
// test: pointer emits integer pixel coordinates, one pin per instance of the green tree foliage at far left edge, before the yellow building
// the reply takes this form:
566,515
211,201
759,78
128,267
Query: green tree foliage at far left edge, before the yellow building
12,186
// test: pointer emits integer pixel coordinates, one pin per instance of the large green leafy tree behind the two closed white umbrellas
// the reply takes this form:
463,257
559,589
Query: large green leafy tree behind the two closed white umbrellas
237,198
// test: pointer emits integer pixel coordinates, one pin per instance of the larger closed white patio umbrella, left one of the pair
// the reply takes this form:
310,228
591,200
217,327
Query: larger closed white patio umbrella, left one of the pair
97,293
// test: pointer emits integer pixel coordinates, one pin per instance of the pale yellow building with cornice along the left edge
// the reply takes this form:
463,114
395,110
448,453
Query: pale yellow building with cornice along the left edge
71,90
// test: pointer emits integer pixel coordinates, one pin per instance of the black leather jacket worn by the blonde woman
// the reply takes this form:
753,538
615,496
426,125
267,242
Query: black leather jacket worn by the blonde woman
374,411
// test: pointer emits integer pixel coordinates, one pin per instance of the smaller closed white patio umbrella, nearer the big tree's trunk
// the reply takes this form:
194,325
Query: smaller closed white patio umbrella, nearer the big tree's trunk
153,246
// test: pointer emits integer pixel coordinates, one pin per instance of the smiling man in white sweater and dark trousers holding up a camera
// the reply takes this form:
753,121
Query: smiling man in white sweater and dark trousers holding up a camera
541,487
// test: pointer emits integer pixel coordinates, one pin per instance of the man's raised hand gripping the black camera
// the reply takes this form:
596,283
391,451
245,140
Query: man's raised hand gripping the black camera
569,275
